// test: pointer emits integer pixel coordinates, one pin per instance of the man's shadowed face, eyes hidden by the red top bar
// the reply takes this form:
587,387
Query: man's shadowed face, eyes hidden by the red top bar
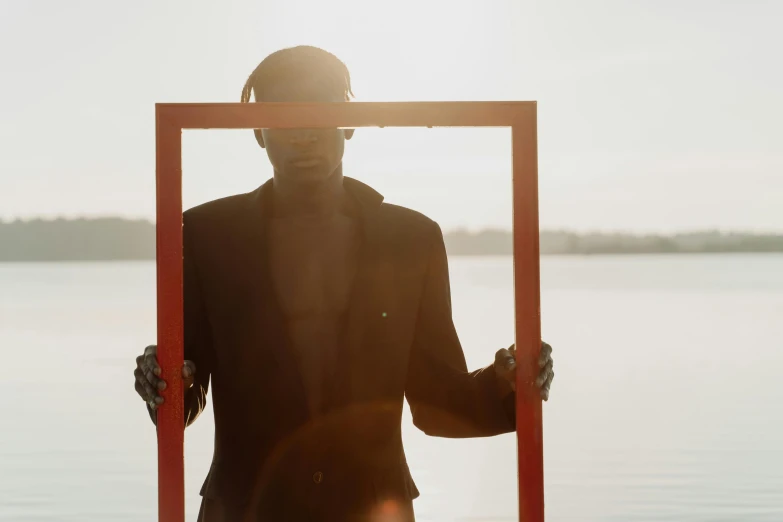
303,155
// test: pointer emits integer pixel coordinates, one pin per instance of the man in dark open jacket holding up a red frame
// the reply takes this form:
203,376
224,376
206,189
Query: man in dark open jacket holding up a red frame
314,308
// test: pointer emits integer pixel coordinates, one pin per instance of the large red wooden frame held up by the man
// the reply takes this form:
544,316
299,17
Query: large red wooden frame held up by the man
520,116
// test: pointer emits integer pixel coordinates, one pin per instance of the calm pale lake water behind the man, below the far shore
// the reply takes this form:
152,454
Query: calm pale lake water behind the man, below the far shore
668,402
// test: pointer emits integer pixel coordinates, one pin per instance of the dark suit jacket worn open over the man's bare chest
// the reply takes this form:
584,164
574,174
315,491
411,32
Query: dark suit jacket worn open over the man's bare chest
272,459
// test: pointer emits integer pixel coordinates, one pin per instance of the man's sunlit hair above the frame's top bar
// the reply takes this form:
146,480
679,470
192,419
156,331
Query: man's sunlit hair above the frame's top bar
297,62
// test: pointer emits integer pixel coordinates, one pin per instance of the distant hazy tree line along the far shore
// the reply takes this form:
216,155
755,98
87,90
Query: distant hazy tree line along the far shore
103,239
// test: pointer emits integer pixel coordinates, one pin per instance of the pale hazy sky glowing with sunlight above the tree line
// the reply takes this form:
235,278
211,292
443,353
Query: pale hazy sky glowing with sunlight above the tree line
654,115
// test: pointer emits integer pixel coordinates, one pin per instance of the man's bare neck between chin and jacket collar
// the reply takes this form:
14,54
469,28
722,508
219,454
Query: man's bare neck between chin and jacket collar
317,200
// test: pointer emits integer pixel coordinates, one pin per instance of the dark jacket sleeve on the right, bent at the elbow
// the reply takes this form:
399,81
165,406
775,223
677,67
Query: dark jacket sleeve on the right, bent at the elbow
445,399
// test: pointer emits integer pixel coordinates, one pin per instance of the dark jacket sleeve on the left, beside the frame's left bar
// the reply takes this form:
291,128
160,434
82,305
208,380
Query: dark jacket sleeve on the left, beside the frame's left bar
197,333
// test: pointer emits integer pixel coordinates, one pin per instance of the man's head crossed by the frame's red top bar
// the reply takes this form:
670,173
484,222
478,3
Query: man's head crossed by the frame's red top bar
301,74
